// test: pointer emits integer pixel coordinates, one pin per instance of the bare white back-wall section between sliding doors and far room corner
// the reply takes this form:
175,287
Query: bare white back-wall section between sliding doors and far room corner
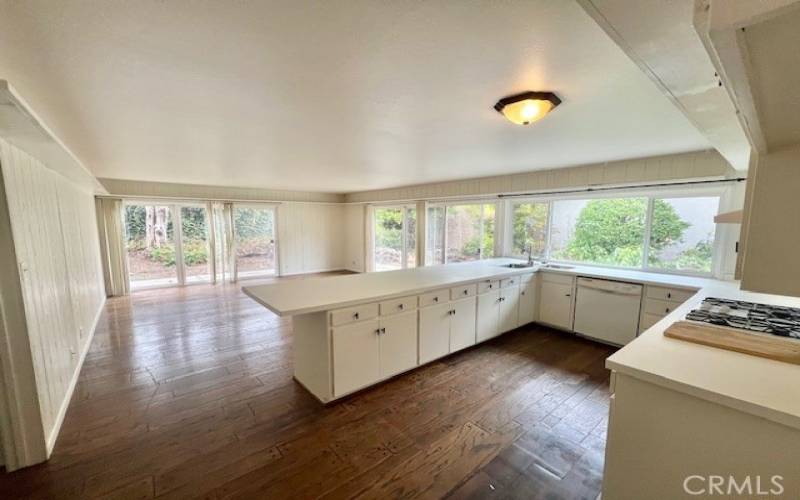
311,237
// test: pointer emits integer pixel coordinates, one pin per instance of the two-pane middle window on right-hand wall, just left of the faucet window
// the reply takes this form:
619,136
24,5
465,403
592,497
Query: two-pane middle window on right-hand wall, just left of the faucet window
460,232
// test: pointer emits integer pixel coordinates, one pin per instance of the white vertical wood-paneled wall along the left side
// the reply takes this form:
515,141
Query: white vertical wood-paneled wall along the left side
55,238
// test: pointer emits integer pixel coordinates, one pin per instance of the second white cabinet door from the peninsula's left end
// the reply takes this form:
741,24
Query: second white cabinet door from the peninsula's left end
398,343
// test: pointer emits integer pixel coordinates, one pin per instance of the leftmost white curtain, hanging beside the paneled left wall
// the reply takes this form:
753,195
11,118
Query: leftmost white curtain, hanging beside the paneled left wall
112,246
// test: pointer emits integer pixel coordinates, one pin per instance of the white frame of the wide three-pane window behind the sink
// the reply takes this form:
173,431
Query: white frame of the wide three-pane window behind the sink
651,195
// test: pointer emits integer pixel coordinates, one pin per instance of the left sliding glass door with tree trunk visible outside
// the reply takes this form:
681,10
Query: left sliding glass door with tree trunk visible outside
158,255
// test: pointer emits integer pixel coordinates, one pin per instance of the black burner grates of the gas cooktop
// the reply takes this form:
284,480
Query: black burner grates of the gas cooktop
776,320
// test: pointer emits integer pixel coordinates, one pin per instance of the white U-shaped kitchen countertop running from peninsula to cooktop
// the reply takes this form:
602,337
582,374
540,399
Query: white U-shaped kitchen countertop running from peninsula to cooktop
762,387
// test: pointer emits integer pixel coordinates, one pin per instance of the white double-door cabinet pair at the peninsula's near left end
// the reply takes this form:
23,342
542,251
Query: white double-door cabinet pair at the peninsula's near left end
368,351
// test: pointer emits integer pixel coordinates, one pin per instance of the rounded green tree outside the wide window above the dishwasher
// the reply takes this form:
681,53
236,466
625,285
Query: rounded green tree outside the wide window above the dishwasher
612,231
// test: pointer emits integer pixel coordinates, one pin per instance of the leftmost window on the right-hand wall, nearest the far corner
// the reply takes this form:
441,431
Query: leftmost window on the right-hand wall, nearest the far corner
395,238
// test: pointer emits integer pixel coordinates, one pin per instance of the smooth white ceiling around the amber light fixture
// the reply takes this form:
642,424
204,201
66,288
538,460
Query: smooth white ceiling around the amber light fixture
329,96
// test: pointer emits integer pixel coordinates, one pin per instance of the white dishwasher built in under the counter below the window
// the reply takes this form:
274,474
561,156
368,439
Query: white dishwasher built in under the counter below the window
607,310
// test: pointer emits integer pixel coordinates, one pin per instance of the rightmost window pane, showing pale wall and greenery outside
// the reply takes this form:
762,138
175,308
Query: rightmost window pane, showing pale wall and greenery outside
682,234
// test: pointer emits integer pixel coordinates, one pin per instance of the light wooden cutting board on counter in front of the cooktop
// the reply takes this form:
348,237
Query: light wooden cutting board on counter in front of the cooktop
732,339
